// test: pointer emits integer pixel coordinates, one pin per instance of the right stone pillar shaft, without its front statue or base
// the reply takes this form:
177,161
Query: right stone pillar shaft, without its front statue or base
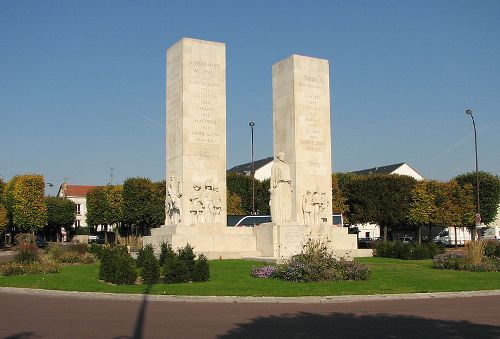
301,130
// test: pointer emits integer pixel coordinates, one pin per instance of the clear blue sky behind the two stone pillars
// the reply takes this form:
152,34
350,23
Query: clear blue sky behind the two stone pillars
82,83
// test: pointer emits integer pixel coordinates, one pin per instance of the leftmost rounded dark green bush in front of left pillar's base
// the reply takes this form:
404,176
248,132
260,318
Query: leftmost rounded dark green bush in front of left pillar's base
117,266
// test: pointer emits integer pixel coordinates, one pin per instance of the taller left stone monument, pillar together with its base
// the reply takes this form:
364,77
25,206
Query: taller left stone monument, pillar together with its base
195,203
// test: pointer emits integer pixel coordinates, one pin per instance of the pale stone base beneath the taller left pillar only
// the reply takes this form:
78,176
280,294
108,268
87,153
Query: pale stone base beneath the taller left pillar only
216,242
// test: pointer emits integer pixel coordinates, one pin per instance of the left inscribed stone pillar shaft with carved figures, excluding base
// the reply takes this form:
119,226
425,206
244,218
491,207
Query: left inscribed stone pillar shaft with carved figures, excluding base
196,131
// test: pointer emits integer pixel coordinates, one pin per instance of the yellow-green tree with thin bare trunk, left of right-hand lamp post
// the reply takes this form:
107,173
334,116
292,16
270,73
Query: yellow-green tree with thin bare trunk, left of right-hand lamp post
422,207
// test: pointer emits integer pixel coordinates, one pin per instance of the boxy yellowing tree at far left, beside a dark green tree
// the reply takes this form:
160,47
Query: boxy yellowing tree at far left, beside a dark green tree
29,211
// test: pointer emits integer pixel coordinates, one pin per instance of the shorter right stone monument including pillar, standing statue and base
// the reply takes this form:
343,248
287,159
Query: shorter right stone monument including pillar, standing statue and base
301,184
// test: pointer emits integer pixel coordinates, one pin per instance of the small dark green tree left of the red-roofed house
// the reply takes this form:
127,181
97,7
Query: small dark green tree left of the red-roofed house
61,212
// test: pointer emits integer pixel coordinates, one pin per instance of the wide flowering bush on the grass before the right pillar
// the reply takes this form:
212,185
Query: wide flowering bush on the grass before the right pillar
317,264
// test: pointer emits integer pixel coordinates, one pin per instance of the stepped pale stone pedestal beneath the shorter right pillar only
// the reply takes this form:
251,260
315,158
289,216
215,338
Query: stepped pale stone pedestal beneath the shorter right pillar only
283,240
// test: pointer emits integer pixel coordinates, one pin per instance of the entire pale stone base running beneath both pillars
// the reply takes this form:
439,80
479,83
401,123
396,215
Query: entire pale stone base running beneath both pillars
268,241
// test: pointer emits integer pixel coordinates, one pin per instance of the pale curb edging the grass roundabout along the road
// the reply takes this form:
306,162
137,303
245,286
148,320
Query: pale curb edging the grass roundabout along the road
236,299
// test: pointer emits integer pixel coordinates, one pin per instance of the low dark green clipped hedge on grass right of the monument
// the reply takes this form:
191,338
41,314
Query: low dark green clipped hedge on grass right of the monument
398,249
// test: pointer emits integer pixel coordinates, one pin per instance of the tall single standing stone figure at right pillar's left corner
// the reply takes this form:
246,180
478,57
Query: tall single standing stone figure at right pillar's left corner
281,190
